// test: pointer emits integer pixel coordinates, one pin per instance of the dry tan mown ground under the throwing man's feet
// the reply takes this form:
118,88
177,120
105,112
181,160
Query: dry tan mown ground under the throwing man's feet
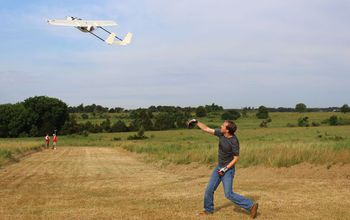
106,183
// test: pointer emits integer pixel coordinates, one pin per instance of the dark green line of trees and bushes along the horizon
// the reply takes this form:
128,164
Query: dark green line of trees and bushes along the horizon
37,116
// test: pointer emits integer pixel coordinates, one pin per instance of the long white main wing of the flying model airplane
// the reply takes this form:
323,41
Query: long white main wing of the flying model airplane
82,23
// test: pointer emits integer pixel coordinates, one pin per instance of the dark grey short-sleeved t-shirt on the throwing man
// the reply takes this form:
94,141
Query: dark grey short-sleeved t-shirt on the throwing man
228,147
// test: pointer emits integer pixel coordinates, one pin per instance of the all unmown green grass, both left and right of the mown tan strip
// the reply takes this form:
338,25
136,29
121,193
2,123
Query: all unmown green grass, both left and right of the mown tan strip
271,147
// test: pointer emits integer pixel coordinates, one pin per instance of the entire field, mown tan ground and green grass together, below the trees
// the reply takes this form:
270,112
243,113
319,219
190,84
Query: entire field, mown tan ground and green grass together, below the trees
106,176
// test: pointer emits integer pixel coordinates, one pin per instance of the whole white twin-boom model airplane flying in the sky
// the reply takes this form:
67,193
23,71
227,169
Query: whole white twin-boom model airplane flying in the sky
90,25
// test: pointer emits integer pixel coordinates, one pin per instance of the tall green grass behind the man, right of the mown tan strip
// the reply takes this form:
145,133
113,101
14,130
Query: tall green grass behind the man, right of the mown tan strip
272,147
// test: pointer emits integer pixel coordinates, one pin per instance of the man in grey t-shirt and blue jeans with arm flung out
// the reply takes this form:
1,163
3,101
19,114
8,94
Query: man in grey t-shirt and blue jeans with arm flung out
225,171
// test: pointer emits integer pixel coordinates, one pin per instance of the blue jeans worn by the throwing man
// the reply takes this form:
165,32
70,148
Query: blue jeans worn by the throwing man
227,181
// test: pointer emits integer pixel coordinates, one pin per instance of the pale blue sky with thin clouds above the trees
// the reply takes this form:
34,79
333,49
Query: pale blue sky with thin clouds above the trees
184,53
